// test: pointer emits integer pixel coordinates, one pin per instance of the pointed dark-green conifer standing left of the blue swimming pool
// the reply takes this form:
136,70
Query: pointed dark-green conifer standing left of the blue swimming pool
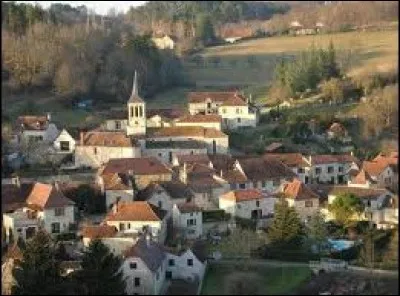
286,229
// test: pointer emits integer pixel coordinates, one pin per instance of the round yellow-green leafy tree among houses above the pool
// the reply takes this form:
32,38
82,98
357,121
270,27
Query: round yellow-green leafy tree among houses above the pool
345,207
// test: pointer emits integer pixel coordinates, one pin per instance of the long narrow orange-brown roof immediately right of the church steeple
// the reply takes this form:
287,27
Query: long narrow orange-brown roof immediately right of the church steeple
185,131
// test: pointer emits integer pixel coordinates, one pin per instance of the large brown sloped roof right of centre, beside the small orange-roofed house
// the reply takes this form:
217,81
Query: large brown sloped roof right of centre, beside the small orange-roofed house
258,168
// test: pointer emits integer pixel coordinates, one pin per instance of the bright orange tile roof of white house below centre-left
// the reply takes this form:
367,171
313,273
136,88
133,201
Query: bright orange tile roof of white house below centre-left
136,211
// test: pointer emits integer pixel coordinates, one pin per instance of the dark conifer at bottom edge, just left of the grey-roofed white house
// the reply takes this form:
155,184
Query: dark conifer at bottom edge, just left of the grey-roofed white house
101,272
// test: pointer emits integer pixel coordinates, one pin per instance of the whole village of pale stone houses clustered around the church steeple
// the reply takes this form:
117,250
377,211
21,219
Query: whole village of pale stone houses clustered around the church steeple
163,173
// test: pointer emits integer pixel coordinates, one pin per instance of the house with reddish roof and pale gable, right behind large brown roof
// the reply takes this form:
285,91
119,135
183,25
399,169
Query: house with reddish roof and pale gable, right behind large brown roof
295,161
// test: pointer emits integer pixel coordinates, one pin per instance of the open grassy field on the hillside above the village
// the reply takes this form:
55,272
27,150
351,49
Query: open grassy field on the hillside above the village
371,51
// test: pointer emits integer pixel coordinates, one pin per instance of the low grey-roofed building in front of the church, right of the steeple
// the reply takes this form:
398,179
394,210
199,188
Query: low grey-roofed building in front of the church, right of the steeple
166,150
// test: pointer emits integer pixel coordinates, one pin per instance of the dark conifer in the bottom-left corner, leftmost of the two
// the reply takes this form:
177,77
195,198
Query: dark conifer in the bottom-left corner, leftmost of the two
38,272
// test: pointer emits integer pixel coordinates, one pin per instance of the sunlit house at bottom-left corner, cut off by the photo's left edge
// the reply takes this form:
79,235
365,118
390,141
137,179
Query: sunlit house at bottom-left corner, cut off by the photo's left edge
9,261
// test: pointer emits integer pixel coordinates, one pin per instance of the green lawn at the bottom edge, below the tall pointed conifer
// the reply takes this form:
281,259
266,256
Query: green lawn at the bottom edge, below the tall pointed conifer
268,280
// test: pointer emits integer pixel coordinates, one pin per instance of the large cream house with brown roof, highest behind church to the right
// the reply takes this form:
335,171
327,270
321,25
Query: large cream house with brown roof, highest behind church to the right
231,106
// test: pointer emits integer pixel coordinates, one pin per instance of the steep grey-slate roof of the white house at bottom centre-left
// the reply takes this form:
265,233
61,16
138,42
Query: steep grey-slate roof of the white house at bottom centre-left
152,254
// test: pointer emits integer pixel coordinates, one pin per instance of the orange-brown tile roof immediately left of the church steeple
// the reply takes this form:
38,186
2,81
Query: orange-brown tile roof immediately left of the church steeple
107,139
